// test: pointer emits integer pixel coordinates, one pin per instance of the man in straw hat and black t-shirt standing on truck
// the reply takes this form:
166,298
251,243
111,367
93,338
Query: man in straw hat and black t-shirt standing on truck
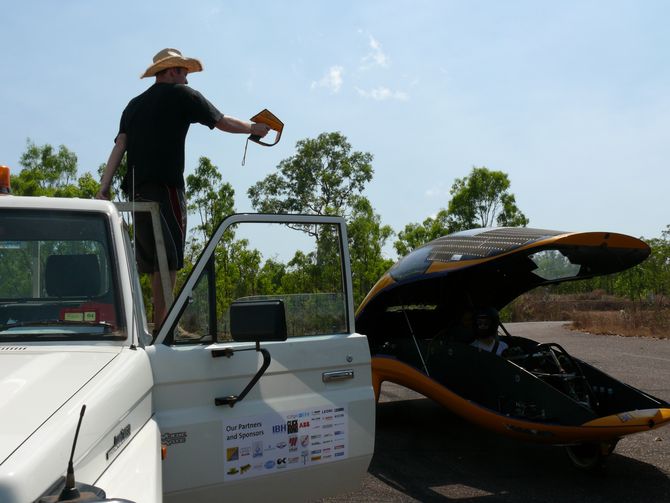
153,132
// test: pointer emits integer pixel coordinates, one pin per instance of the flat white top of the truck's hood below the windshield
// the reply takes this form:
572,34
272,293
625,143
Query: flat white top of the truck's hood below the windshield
35,384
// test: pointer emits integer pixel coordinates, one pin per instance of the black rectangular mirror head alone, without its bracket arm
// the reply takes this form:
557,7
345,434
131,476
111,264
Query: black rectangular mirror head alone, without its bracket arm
258,321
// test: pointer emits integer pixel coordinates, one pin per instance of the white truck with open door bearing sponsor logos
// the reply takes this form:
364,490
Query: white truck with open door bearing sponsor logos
270,401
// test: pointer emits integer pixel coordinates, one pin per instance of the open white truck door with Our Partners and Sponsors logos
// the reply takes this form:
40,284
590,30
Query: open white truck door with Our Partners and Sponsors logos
261,395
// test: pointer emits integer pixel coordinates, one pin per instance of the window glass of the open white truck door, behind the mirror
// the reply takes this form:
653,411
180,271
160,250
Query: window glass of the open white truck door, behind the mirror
298,263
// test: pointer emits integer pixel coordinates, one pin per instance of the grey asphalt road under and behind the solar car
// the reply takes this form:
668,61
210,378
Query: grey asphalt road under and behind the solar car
425,453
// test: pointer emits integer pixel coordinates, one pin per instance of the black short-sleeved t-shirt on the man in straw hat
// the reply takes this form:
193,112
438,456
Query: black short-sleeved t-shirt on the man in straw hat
156,123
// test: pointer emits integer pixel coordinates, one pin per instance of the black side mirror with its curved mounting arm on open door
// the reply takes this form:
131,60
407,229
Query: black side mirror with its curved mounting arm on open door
253,321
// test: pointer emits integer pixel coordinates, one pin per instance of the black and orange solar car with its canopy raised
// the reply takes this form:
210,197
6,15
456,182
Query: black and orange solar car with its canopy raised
413,318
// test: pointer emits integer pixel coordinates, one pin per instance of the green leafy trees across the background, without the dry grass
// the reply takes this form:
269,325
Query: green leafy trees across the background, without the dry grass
325,176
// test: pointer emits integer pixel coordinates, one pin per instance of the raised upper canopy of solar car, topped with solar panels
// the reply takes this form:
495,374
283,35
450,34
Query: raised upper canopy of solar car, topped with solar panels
492,266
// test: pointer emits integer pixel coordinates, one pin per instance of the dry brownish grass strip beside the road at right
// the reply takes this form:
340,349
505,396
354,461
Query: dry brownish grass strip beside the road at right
595,312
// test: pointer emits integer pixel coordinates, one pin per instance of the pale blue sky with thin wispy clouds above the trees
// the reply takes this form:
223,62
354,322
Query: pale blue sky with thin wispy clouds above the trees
571,99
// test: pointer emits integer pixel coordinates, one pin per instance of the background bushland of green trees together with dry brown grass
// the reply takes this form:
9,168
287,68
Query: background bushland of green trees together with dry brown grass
325,176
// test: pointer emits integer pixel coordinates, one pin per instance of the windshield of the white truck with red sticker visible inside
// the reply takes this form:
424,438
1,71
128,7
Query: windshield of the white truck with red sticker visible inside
56,280
